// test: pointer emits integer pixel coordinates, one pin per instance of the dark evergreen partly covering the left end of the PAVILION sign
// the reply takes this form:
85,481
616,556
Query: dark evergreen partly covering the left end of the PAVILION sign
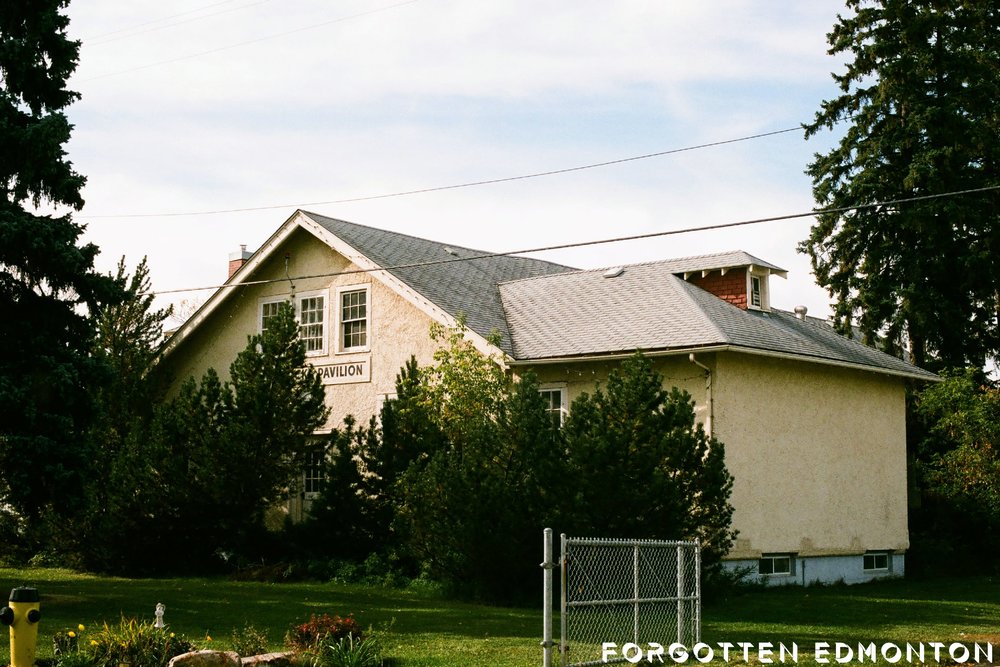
220,454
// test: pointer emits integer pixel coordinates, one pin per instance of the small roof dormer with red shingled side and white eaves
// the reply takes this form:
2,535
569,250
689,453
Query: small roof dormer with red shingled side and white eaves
735,277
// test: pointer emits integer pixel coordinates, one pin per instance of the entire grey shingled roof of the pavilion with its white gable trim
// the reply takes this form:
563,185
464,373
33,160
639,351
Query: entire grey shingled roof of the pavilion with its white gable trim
546,311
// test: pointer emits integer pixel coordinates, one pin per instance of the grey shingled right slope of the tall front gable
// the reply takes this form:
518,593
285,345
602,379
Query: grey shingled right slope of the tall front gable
468,287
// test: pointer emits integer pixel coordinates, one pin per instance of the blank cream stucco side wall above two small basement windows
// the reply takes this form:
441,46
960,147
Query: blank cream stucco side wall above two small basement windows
818,454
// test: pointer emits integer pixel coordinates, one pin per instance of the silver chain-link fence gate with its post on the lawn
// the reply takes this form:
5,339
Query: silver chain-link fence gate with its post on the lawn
621,591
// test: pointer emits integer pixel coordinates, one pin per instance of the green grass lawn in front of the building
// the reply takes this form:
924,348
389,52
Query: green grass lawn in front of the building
424,629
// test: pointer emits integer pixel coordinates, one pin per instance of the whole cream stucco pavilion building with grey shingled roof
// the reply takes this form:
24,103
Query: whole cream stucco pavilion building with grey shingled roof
813,422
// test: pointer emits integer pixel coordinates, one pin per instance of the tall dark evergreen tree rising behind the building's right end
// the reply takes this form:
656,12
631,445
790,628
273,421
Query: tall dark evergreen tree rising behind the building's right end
919,94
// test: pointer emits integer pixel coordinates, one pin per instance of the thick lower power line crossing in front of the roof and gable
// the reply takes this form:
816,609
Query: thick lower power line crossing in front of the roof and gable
581,244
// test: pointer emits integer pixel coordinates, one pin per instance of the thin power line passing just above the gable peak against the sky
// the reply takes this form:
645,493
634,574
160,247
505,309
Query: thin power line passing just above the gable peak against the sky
471,184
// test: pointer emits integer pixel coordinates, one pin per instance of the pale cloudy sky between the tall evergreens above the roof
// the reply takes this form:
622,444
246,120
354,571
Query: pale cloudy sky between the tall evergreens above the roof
204,124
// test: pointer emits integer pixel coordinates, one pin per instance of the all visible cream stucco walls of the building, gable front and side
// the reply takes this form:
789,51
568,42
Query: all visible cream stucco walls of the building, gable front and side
817,452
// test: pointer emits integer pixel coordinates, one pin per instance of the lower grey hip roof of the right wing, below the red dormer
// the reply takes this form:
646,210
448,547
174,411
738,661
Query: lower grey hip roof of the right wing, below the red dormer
649,307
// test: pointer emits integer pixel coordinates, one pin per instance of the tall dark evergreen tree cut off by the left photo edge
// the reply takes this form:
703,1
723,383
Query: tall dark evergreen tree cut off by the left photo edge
47,281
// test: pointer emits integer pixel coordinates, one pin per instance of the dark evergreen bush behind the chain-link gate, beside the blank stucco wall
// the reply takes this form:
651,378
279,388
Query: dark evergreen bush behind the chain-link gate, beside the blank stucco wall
642,467
